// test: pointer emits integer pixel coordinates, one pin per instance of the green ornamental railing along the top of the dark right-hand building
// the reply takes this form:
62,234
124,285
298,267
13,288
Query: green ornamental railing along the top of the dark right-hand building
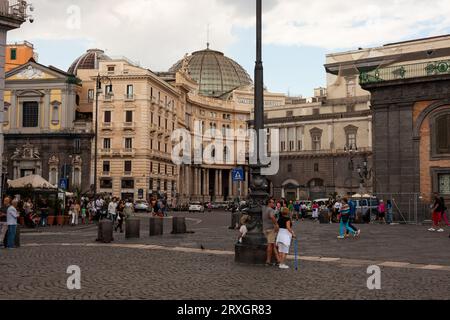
407,71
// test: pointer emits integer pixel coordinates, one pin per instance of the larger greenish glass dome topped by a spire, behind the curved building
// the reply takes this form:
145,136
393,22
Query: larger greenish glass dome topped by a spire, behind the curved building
214,72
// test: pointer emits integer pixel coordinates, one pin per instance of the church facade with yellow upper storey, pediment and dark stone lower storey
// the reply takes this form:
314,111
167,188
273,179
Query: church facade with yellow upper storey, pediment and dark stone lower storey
44,133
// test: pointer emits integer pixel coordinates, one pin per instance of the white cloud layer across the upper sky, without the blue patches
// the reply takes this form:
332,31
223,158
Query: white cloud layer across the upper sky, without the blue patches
158,32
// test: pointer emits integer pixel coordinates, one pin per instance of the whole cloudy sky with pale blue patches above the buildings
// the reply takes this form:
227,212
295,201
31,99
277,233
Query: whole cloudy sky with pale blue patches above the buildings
297,33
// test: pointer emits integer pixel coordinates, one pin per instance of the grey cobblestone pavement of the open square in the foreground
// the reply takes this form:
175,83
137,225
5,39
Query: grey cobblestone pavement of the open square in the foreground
174,266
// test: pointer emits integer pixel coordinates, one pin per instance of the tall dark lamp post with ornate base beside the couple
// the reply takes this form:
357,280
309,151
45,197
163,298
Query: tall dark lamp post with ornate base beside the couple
253,248
